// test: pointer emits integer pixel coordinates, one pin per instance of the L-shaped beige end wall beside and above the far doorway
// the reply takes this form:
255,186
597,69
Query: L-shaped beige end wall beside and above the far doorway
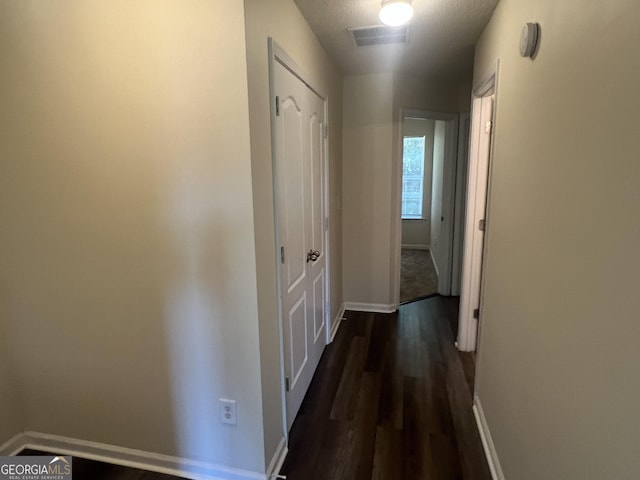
372,155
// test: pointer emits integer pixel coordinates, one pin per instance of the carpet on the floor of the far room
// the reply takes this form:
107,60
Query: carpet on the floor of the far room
418,277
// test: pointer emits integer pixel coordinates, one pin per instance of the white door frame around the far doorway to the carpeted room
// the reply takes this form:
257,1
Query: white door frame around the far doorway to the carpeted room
451,146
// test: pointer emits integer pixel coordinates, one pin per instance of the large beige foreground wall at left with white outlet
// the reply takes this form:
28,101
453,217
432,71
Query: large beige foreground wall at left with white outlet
127,257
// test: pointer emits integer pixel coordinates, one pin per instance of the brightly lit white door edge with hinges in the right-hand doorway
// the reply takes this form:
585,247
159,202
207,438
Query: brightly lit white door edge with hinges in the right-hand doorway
479,154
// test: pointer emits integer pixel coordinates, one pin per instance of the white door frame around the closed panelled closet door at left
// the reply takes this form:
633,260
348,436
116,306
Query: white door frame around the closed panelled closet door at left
278,54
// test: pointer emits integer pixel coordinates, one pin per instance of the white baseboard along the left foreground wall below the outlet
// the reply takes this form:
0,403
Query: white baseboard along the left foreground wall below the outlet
128,457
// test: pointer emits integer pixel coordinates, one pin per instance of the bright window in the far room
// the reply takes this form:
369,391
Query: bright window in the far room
412,177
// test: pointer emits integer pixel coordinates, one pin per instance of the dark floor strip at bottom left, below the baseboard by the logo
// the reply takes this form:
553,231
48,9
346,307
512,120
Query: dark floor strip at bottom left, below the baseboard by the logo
84,469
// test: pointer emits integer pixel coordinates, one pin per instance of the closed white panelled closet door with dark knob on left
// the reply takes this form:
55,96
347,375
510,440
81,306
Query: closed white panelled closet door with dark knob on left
299,170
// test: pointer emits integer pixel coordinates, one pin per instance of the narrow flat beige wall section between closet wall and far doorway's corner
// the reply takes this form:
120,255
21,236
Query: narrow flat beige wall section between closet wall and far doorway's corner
368,107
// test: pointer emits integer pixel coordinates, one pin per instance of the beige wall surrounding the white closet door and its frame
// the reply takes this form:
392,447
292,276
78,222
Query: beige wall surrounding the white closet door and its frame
281,20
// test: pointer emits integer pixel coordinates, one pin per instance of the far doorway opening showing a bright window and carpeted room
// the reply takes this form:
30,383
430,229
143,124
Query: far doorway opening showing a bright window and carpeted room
430,188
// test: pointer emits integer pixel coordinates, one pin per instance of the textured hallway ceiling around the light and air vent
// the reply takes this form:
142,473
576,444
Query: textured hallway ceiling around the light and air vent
441,37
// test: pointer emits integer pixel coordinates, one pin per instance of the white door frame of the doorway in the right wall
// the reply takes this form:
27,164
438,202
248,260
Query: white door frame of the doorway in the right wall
473,273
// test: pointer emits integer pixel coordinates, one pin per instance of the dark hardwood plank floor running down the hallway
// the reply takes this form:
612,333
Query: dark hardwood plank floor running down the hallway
391,399
